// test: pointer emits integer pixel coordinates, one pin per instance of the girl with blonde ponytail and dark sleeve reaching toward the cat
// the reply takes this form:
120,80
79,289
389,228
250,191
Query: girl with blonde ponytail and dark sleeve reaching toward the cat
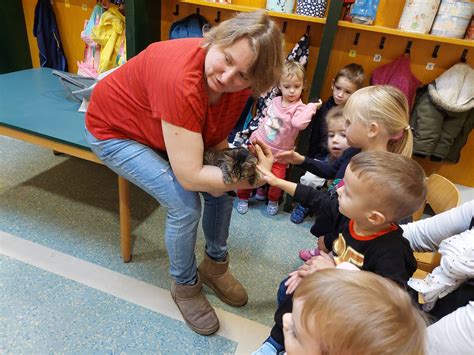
377,119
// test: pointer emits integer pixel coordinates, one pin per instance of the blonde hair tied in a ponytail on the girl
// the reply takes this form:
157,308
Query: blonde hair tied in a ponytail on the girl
387,106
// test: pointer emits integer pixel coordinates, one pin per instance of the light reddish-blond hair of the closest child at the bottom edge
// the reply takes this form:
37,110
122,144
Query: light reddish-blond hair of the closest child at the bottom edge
358,312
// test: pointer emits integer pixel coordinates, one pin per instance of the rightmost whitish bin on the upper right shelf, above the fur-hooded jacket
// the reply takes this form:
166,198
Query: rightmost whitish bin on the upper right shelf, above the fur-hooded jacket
452,19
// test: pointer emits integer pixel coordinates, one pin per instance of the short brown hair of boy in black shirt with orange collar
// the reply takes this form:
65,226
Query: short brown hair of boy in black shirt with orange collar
397,181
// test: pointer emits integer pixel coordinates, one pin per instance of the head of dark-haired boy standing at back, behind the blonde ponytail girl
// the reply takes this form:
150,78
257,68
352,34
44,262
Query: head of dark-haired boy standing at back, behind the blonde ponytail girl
347,81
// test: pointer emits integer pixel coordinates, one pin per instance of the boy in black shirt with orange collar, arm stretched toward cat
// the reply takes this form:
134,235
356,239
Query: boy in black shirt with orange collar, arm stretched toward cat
364,231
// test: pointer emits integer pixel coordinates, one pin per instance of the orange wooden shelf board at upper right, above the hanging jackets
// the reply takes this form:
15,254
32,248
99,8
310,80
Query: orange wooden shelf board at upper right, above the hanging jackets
396,32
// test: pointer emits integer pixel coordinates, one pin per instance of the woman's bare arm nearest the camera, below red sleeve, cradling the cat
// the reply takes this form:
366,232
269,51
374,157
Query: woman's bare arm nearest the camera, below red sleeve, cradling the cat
185,150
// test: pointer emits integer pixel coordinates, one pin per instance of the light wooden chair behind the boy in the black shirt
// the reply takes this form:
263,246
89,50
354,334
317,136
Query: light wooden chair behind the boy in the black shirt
442,195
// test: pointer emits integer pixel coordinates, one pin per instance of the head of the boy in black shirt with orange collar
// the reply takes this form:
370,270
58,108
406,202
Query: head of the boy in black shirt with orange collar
381,187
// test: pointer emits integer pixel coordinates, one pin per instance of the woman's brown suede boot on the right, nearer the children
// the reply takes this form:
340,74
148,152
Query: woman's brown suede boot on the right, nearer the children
216,275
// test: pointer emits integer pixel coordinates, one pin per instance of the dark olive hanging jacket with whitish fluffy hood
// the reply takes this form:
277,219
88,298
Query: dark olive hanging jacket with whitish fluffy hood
443,116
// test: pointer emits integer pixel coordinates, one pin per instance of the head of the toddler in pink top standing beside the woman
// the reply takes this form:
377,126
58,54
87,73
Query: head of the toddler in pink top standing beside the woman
292,81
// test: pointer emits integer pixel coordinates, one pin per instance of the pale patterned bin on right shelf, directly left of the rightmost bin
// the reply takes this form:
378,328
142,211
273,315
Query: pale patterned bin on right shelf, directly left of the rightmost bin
418,15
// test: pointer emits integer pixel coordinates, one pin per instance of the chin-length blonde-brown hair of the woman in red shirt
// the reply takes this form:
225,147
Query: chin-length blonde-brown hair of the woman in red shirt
265,40
